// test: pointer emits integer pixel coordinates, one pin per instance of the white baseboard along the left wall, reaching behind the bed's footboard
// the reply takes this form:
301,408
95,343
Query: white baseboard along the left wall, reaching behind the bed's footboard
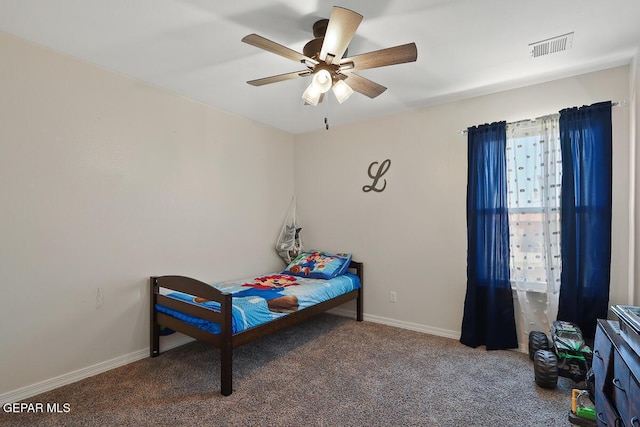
166,343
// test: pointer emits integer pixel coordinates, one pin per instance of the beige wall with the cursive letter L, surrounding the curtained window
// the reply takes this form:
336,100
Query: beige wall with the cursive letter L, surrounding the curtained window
412,236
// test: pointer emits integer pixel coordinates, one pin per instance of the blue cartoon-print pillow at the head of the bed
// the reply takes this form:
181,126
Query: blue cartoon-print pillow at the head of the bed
319,265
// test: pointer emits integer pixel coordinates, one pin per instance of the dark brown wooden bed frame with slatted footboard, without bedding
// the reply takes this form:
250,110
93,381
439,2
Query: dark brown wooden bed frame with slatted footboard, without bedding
226,341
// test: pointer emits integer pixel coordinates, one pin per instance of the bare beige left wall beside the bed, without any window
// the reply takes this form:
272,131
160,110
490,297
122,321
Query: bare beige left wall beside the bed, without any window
105,181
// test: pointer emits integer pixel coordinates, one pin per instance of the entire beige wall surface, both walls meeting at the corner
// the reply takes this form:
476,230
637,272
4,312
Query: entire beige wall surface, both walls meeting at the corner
105,181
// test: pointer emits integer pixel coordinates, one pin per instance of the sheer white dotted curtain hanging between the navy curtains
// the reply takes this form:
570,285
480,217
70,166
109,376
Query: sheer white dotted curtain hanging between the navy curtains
534,173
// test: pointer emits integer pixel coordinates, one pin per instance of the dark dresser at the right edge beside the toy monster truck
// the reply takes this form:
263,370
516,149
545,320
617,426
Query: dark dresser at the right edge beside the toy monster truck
616,367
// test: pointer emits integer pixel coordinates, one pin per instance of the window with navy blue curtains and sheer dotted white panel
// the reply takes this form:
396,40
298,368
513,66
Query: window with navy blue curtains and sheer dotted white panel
518,167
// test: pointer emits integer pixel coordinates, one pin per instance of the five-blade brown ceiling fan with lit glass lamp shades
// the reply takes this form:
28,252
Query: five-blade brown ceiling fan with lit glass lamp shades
324,58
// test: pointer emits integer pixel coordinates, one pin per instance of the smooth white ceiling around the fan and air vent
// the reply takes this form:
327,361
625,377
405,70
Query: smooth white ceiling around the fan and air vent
465,47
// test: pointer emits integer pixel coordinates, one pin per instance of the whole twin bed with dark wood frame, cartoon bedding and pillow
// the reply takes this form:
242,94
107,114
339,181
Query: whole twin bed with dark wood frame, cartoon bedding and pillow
234,313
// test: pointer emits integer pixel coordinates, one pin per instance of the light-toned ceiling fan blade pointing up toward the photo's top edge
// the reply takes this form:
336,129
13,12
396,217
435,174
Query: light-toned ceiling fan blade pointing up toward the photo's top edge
343,24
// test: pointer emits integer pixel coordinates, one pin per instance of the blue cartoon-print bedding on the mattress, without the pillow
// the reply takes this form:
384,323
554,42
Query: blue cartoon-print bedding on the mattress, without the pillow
262,299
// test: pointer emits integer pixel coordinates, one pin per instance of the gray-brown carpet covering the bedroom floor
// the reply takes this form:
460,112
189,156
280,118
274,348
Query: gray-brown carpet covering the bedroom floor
328,371
